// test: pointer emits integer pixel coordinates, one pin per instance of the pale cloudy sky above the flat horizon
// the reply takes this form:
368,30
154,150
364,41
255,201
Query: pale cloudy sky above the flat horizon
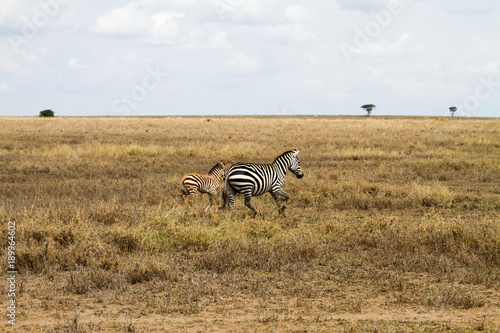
249,57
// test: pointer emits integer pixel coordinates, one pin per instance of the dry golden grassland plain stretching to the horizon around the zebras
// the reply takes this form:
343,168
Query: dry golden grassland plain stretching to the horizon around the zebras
394,228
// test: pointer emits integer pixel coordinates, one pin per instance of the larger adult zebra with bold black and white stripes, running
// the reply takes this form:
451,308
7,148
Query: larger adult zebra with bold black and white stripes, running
252,179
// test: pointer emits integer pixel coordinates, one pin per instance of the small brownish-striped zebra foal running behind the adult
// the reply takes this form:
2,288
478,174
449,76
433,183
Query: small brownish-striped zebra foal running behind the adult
209,184
